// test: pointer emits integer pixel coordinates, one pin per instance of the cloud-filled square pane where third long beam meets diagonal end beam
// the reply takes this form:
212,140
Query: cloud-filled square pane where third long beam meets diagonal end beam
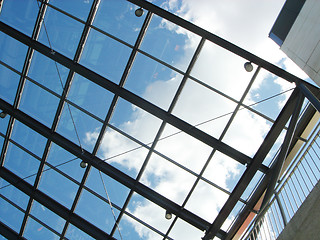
208,207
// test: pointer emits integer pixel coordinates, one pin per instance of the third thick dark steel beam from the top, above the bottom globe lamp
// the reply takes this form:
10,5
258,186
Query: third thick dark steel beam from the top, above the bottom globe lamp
106,168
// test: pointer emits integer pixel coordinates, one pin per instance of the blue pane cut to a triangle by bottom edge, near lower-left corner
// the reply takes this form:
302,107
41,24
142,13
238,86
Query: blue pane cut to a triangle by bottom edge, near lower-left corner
36,231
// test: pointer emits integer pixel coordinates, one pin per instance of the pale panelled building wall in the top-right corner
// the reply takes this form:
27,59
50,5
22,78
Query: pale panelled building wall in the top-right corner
302,43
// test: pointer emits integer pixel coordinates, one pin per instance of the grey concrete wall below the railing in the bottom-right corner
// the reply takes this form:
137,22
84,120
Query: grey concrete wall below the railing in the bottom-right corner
305,224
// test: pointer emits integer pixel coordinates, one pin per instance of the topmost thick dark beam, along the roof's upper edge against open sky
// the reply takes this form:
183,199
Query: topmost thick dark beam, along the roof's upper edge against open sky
217,40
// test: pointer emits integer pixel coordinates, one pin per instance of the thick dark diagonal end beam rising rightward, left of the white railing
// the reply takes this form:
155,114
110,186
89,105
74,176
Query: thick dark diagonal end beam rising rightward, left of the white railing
265,147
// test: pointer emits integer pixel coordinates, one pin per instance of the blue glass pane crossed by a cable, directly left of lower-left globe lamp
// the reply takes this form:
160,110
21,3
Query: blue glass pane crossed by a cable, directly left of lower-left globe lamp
65,161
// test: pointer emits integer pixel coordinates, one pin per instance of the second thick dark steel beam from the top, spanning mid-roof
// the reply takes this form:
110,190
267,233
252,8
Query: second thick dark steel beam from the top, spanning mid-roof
127,95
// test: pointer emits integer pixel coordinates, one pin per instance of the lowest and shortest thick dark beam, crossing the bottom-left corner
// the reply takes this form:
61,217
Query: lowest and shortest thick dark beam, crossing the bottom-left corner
53,205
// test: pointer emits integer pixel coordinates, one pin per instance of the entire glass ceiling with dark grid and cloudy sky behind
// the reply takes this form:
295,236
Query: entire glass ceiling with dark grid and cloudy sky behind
134,99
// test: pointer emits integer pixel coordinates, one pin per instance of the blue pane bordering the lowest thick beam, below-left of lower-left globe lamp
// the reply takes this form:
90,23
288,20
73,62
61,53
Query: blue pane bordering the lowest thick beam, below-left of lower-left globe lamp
56,186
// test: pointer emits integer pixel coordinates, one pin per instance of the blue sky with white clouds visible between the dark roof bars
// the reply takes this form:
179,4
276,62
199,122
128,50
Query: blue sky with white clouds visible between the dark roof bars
246,23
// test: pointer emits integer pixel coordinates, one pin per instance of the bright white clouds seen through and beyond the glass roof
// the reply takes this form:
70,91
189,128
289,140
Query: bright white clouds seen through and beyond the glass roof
246,23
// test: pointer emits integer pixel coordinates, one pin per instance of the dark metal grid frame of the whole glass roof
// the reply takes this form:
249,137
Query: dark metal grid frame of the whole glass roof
253,164
